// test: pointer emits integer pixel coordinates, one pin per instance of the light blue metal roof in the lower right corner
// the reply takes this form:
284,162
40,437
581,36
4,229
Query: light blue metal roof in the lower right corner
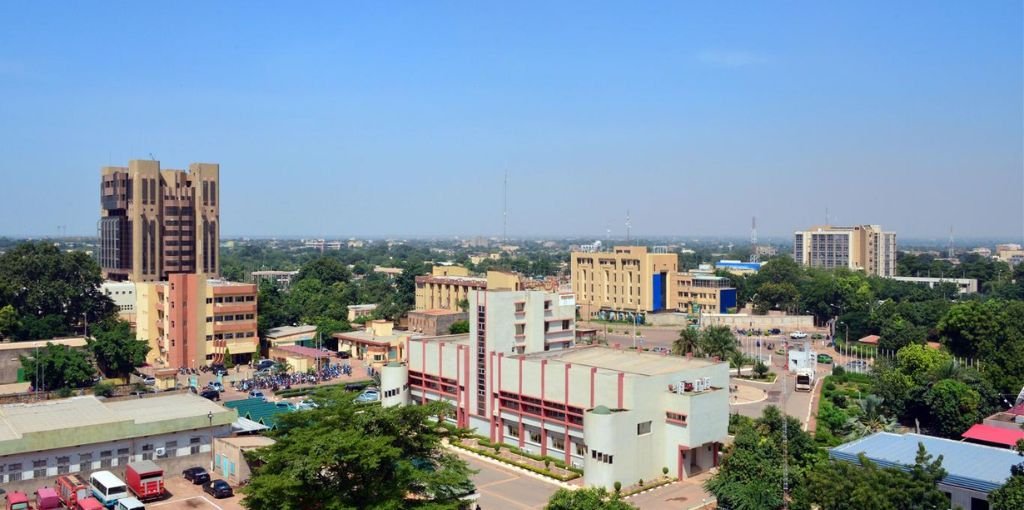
968,465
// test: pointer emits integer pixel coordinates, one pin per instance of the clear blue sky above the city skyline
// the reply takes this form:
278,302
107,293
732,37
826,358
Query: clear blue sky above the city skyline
360,119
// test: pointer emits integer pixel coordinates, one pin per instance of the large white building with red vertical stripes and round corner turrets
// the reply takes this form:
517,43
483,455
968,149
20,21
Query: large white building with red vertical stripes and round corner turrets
518,378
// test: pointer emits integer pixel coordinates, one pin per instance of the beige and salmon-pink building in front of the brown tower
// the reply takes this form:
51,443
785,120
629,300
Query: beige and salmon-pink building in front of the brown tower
192,321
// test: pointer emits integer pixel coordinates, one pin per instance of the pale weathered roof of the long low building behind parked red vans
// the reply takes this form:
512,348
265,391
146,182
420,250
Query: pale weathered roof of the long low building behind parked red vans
80,420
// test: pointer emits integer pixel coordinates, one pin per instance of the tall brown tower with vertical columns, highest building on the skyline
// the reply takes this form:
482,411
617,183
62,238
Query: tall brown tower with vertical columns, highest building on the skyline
157,223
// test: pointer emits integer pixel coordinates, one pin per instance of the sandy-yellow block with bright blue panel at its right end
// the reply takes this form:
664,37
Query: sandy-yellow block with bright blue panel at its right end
620,283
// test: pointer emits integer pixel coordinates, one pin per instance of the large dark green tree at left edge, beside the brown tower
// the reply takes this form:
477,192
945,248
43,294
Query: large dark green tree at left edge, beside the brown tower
52,291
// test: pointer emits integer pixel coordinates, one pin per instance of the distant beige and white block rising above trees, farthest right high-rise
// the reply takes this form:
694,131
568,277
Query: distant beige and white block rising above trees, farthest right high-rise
865,248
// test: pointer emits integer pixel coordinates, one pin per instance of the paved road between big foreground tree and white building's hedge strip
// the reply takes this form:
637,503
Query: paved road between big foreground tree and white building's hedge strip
502,488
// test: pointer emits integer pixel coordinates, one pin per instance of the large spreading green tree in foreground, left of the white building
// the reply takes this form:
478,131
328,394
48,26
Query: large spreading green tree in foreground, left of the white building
346,455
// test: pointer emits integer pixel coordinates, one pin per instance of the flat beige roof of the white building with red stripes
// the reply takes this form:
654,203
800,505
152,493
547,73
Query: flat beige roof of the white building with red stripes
645,364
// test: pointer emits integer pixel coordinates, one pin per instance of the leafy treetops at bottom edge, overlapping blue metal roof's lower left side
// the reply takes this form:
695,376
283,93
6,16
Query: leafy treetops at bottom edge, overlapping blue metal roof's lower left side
842,486
